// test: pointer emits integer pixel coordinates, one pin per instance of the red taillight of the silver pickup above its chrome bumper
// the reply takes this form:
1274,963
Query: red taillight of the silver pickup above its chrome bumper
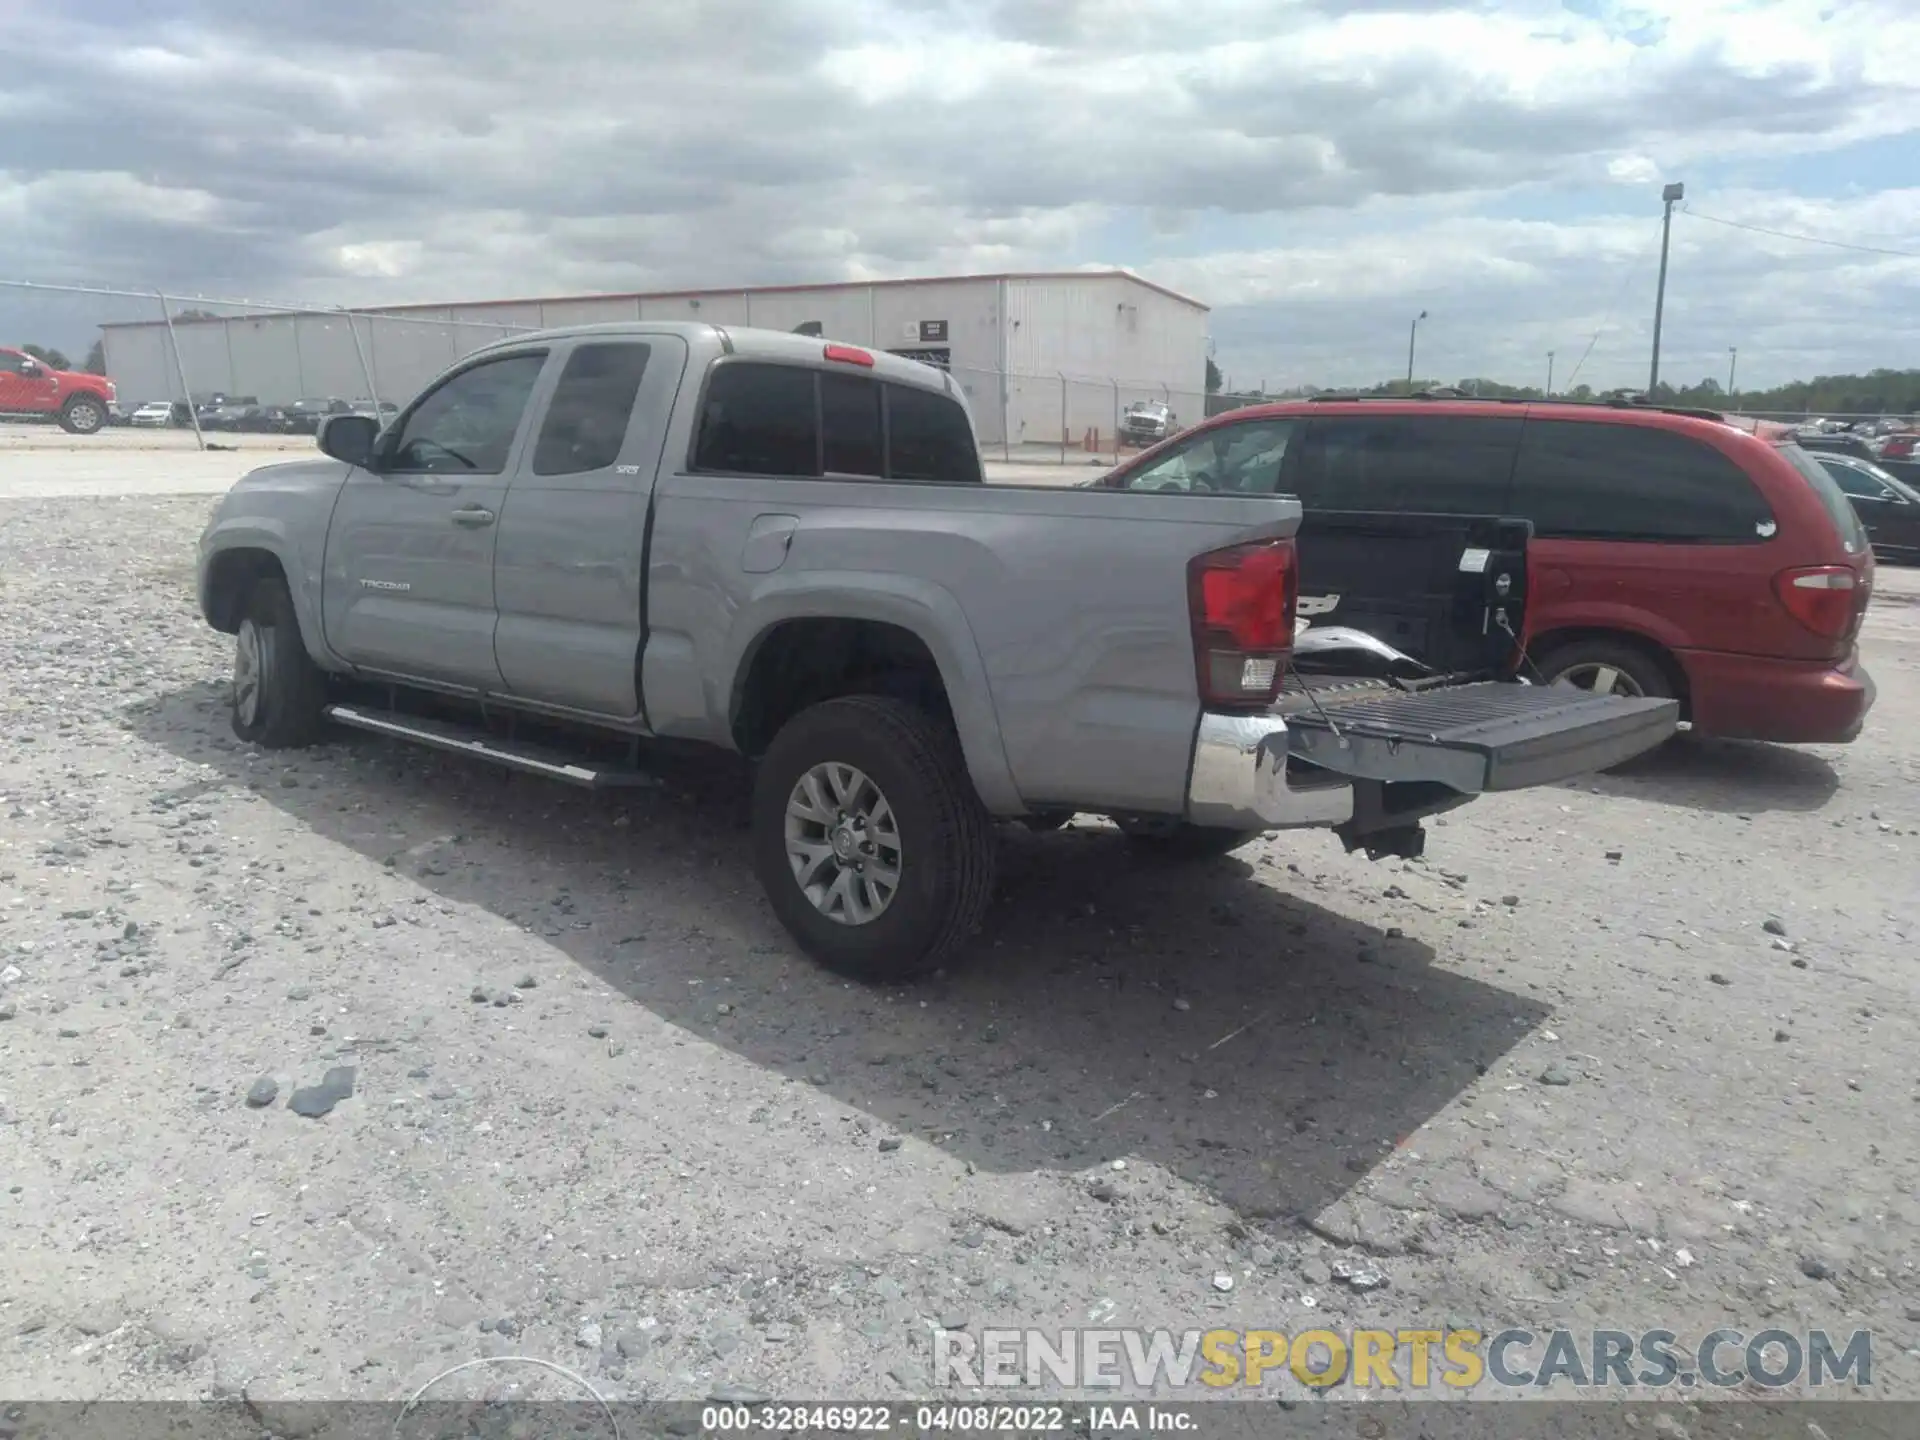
1243,606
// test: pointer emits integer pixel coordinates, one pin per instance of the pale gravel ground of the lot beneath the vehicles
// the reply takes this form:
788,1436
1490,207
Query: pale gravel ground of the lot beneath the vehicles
602,1113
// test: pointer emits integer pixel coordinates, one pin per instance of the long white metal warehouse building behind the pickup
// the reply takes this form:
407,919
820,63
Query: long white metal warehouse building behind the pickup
1044,358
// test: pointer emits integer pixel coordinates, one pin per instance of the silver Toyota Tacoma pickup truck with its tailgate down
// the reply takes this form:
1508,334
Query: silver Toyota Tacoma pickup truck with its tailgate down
579,546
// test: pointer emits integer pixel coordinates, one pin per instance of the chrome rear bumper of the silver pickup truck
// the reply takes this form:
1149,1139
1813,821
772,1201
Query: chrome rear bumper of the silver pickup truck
1241,782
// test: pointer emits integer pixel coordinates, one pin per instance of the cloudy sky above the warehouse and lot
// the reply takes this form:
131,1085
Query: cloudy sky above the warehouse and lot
1316,170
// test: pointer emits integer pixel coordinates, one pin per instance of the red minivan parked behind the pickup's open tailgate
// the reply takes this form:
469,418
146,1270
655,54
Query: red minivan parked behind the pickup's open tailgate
1675,554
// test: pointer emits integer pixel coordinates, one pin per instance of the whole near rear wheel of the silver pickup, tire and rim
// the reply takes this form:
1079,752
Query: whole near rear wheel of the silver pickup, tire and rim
869,838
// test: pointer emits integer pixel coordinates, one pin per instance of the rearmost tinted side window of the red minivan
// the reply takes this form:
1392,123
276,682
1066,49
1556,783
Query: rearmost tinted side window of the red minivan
1596,481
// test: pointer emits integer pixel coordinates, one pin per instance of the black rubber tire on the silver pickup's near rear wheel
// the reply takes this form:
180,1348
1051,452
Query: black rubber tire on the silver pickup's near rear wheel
944,836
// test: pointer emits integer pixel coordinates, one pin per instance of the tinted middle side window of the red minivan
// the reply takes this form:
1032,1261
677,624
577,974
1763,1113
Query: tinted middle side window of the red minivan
1410,464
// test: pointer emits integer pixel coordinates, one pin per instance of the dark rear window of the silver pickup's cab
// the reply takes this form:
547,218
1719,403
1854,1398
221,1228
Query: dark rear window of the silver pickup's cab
805,423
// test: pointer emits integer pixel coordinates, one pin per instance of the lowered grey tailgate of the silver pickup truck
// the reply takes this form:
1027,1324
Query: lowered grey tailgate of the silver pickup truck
1476,738
